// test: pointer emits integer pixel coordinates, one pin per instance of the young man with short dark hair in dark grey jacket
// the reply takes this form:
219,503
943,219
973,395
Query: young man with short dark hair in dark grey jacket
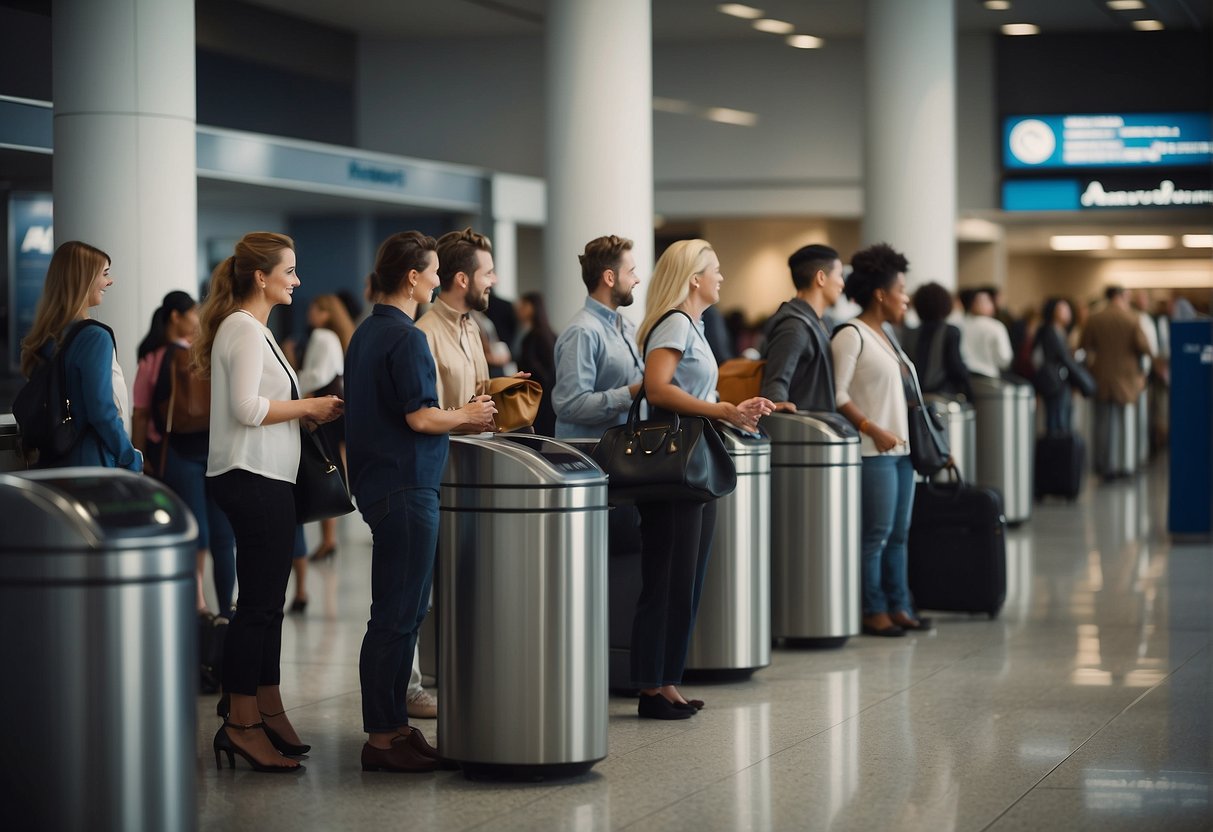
800,367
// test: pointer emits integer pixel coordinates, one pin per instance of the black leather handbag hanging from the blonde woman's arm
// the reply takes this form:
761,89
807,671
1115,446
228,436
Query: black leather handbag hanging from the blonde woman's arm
676,459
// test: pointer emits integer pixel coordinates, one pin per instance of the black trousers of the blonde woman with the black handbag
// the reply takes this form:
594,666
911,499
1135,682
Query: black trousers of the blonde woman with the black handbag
677,543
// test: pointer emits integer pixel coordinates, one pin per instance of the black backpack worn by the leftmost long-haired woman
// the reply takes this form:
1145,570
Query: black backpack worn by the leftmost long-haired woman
43,409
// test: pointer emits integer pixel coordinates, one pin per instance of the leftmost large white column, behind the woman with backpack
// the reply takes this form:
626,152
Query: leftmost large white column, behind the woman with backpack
126,170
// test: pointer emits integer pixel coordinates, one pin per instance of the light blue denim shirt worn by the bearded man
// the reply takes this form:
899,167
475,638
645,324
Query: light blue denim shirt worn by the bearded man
596,362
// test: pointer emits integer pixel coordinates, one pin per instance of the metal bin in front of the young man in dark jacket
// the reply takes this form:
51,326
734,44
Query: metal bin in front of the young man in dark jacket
816,533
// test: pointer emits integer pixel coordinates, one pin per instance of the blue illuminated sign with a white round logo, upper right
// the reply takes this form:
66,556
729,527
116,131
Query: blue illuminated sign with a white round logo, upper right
1161,140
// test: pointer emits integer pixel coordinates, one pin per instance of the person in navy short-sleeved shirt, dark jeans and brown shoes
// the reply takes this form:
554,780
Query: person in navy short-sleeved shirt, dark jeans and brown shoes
397,440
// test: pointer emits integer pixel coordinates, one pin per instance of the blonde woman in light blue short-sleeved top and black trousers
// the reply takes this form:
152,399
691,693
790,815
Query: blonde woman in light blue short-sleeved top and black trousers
680,377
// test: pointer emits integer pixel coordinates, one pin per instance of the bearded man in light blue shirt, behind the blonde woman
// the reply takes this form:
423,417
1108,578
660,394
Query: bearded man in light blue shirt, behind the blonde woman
599,368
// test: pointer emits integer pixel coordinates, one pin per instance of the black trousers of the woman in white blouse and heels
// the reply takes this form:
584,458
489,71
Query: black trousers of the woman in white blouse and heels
263,515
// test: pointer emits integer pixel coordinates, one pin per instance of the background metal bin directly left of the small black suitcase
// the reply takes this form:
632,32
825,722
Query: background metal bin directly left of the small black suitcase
1006,417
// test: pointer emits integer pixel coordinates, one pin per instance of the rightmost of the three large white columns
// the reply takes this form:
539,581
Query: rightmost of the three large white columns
910,134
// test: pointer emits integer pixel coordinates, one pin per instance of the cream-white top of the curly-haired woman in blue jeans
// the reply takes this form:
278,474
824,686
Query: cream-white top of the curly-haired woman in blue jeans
869,373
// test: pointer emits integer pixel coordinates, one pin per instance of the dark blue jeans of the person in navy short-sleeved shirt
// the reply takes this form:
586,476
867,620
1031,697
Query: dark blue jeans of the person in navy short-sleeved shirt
405,527
